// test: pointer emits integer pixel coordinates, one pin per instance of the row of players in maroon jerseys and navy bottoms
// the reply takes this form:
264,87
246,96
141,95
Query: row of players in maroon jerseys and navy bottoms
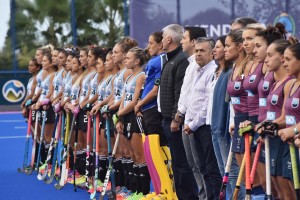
264,91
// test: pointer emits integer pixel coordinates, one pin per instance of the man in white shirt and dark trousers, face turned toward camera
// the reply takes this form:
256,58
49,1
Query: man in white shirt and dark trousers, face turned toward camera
195,116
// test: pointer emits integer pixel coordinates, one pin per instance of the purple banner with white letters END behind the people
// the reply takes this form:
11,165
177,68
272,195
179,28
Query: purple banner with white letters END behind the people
147,16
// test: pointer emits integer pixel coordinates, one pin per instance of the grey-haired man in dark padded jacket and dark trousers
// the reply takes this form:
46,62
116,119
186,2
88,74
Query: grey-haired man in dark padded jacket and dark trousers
175,64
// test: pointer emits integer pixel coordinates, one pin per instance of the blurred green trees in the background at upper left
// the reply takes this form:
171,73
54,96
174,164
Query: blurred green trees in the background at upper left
40,22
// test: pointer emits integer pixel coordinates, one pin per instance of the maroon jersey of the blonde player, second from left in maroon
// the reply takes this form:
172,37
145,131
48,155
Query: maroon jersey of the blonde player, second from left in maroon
250,84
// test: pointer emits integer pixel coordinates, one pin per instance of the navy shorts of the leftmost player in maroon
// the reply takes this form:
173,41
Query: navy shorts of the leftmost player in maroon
238,142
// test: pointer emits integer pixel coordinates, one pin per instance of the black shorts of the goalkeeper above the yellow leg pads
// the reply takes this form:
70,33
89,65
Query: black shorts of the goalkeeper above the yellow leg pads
152,123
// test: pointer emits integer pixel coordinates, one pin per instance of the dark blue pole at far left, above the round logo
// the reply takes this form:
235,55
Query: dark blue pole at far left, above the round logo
13,35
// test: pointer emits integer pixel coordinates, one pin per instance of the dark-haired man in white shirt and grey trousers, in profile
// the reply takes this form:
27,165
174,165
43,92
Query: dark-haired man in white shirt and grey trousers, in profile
188,45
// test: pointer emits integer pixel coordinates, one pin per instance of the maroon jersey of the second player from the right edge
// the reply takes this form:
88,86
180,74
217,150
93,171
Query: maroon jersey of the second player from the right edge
275,100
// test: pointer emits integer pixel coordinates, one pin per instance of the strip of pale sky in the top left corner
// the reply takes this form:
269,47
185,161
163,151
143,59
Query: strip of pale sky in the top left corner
4,19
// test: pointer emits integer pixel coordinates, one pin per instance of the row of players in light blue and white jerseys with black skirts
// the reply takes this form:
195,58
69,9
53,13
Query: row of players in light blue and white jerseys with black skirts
72,83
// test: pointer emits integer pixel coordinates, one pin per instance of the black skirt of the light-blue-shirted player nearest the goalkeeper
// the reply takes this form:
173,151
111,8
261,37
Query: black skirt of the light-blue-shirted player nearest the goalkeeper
130,125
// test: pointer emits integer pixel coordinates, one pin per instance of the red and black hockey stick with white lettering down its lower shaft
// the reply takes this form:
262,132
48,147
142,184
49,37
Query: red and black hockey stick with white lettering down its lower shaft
87,158
